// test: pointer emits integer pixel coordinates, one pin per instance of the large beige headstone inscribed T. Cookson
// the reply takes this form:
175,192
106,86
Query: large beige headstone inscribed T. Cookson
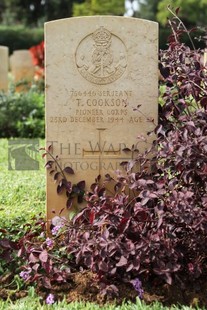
98,69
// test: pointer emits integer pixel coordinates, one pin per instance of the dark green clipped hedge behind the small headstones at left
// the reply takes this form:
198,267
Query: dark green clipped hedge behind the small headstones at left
18,37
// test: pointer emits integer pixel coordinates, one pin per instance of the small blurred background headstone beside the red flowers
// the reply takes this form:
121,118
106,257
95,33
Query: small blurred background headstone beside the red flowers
22,69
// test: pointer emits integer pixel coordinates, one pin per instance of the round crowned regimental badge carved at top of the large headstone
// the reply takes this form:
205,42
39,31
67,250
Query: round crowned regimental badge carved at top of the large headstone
101,57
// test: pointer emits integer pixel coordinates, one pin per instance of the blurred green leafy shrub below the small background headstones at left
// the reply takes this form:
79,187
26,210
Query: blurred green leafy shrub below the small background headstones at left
22,115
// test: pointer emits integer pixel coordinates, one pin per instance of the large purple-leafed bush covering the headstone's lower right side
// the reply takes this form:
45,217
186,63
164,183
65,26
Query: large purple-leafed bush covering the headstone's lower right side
156,222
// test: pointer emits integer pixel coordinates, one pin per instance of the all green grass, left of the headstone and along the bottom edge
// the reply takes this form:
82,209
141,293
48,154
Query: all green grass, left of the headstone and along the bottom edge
22,196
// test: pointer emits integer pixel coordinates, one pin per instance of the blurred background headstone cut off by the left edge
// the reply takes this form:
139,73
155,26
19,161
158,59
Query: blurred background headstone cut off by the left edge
4,68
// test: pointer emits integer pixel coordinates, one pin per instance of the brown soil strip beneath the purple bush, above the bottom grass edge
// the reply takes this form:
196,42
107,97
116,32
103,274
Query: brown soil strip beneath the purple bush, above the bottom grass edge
84,287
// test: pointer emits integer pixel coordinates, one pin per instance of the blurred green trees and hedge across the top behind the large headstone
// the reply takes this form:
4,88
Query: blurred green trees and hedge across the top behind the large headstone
22,20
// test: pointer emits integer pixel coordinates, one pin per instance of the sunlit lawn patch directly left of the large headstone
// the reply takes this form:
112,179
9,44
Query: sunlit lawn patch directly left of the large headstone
22,193
